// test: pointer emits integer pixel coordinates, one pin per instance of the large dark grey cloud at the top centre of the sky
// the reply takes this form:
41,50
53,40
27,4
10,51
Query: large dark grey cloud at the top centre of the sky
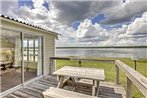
67,12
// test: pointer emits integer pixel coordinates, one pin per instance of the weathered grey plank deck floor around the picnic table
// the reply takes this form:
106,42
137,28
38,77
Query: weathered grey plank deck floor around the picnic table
35,89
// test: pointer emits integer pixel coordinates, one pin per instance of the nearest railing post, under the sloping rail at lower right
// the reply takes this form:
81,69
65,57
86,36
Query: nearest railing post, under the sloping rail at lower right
129,87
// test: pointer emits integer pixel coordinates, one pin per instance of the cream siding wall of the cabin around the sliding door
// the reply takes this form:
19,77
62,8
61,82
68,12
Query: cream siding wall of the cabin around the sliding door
48,39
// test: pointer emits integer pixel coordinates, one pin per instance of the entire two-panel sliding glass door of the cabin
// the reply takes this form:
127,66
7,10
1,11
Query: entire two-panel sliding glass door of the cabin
20,58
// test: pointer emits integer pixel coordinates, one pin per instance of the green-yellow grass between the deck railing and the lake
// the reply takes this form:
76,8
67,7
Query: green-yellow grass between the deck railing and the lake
110,70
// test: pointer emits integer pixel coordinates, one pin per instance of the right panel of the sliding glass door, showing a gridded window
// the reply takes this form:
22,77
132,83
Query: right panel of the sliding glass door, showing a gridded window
32,56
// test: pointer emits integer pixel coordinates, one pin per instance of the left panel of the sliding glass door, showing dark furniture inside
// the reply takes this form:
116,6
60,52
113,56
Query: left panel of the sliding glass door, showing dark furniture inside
10,59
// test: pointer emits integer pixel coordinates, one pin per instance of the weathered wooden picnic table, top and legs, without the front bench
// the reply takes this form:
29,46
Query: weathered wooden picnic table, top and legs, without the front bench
96,75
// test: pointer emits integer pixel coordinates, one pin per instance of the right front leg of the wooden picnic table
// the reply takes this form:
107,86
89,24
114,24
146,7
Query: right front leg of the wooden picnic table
95,88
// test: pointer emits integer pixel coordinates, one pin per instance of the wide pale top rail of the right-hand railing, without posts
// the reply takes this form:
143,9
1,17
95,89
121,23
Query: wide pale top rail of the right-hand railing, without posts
137,79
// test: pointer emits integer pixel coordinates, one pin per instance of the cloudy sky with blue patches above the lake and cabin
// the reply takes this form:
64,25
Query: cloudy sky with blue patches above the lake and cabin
85,22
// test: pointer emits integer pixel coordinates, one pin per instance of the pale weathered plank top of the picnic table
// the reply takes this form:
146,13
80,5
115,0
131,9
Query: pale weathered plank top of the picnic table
81,72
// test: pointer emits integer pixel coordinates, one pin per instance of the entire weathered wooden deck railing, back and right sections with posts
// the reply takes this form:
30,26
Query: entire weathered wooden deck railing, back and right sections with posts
133,77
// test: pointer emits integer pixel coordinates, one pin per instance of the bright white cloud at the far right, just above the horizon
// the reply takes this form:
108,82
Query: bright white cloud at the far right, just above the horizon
133,34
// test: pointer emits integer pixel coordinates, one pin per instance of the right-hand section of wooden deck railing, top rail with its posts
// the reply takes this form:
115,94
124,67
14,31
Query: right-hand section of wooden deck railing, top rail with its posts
133,77
